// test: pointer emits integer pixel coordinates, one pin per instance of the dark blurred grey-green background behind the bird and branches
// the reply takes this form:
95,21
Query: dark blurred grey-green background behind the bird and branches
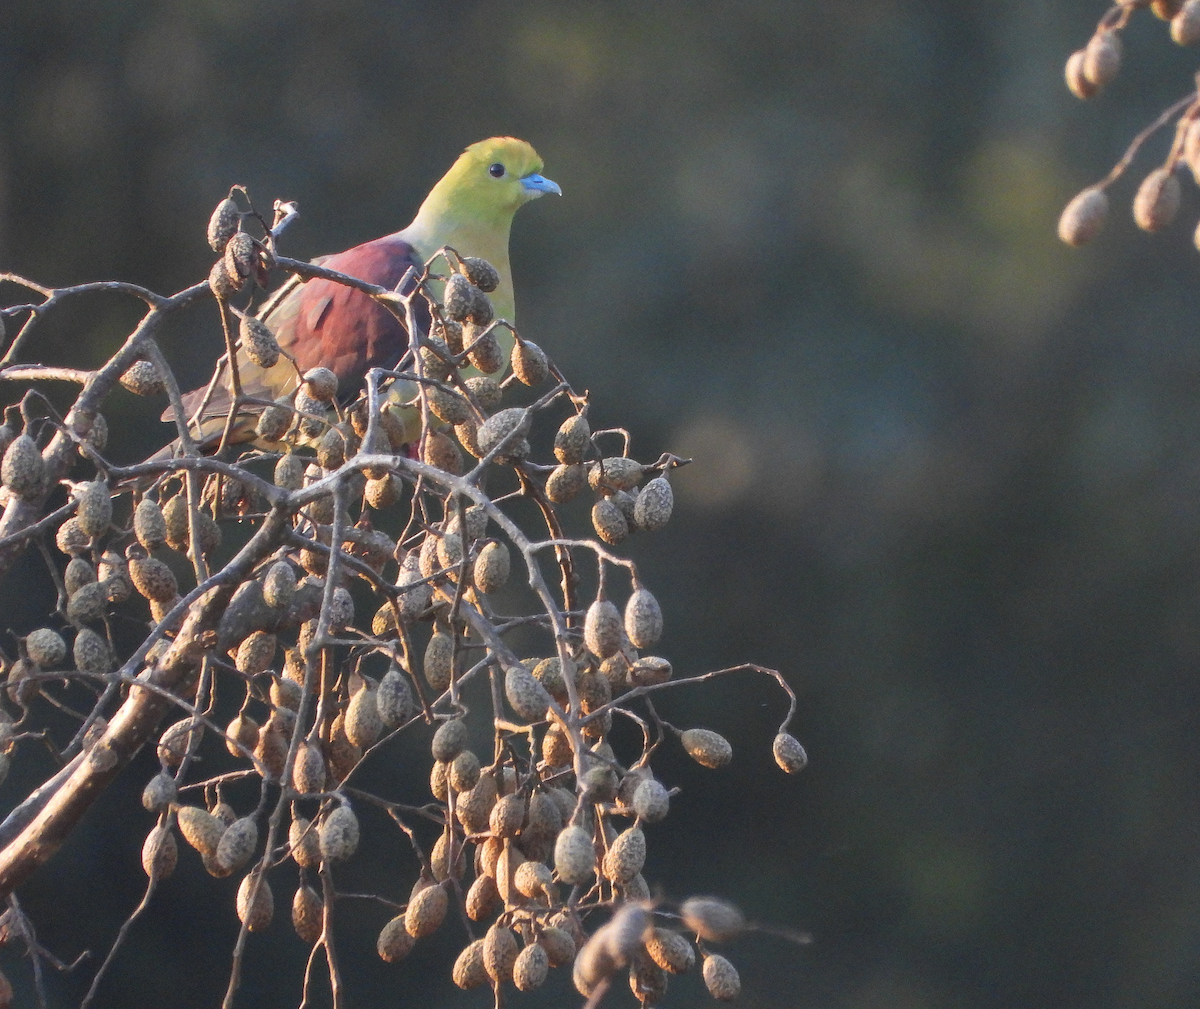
946,477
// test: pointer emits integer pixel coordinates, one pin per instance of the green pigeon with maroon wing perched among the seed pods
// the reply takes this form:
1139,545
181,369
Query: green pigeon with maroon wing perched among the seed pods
323,323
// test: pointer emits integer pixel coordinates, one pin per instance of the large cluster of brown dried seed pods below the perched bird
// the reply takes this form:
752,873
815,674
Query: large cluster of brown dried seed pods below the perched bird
374,591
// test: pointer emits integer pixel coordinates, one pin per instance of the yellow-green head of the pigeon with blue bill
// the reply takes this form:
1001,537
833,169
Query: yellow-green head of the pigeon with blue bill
489,183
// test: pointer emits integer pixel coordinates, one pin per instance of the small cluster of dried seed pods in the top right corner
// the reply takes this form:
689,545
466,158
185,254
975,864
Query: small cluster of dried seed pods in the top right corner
1157,201
